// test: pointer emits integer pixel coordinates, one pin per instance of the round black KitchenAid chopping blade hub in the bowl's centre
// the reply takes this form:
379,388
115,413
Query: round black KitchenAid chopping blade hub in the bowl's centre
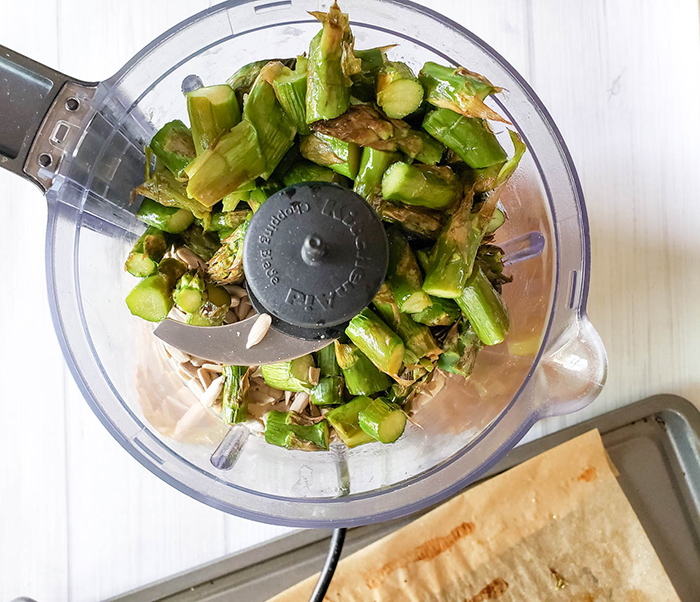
314,256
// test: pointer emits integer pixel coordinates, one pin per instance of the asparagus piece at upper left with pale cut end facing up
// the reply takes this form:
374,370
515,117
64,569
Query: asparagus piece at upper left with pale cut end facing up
213,111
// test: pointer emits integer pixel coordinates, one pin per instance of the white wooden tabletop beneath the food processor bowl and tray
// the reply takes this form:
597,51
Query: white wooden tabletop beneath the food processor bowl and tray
80,520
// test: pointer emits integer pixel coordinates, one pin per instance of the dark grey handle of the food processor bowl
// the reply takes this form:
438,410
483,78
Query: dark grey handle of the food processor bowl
31,144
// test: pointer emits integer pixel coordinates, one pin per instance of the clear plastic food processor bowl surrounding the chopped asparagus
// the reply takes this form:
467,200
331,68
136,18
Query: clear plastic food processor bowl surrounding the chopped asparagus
553,361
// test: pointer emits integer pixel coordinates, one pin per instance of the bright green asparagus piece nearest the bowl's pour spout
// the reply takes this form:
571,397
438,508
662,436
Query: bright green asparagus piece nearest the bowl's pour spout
484,308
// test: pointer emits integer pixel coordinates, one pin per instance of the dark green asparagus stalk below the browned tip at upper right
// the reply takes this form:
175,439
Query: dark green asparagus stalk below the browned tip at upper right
471,138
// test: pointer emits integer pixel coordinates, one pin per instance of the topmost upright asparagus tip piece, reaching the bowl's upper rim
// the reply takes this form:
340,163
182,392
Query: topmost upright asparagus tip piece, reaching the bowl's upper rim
331,66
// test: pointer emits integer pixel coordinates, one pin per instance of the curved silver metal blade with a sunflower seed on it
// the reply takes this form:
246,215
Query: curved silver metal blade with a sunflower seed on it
226,344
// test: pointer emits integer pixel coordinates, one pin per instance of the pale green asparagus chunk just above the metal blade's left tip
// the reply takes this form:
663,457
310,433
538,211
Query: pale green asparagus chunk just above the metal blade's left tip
152,298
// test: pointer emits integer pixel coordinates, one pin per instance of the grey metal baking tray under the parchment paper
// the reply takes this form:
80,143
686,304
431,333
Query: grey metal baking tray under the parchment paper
654,443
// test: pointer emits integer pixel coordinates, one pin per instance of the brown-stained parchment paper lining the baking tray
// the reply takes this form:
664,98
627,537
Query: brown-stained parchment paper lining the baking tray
555,528
